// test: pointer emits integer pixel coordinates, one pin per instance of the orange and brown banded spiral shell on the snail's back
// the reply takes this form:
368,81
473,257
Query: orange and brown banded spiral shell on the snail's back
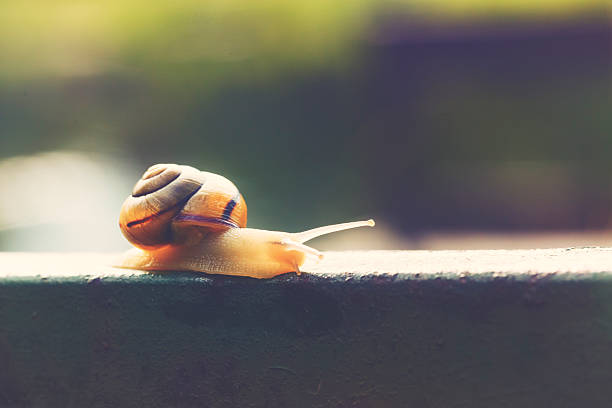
170,196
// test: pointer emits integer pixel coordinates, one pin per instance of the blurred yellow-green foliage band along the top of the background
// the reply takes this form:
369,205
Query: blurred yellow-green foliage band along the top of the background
165,41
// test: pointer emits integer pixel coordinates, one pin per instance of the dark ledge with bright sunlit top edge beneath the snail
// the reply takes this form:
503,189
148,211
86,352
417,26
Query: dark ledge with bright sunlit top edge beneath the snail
423,329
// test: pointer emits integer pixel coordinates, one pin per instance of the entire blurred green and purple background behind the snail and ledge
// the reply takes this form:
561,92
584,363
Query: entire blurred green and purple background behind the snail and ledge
429,116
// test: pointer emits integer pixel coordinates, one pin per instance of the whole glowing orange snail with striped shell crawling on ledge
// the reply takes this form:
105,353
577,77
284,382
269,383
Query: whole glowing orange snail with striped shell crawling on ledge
180,218
